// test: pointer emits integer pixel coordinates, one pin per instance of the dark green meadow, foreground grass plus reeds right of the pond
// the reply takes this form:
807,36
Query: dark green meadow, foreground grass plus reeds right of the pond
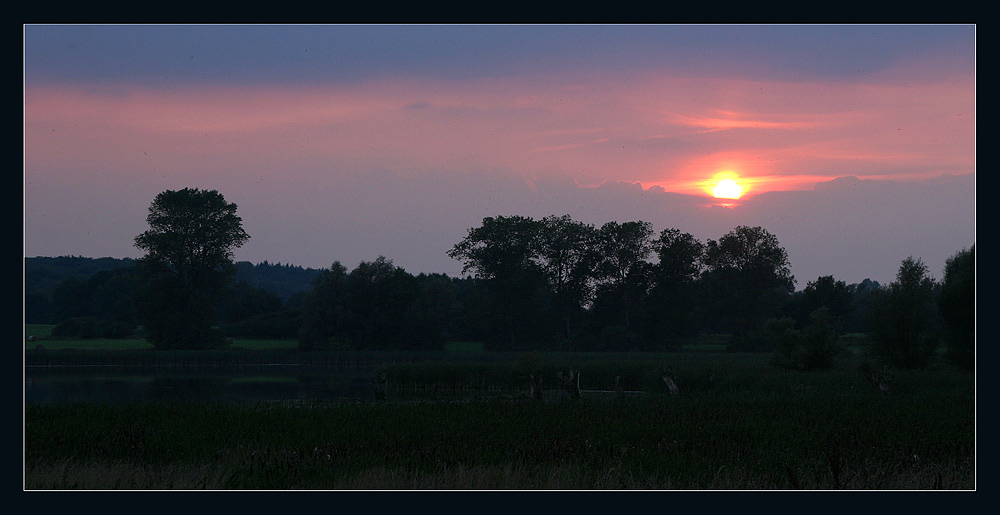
463,420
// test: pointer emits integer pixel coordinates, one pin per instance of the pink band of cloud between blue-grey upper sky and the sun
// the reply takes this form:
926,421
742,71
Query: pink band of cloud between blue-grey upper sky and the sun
654,129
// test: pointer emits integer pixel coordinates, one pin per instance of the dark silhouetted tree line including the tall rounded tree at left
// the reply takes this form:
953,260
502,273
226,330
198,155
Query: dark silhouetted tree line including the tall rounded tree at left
552,283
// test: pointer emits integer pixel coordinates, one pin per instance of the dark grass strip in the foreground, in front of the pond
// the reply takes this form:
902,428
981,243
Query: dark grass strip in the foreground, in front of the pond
760,442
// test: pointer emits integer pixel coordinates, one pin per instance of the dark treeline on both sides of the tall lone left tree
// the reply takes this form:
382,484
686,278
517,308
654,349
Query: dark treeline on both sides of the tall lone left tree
551,283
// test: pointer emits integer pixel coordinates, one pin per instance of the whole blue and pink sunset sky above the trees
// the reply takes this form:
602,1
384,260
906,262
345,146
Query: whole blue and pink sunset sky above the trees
855,145
